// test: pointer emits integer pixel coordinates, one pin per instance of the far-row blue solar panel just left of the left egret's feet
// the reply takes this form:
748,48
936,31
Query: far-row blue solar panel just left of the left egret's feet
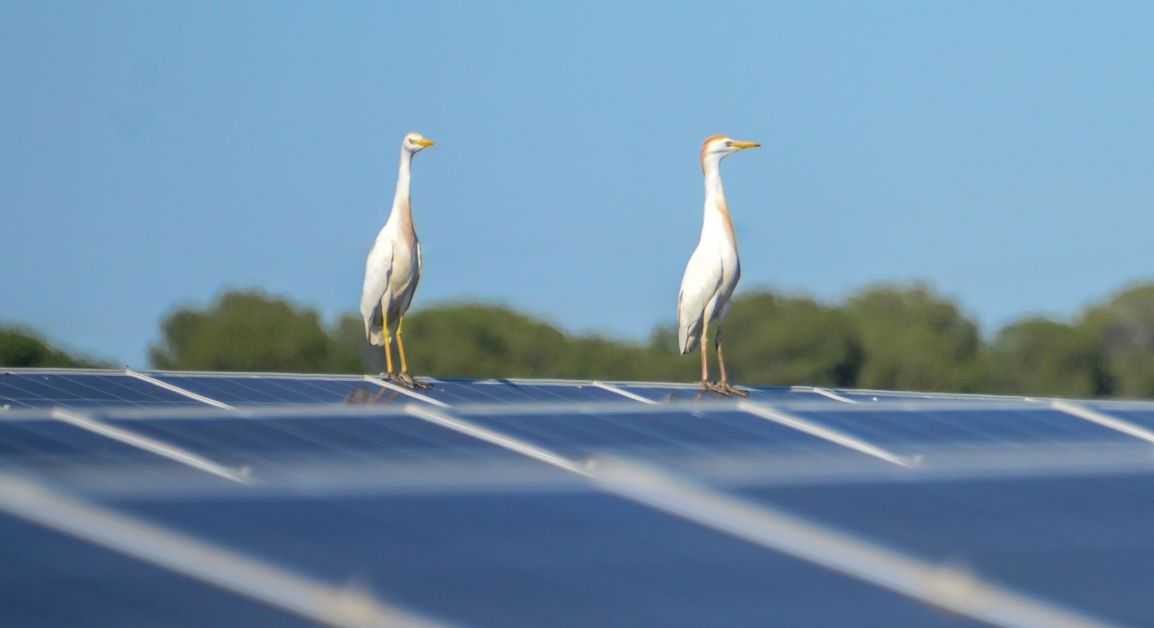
264,390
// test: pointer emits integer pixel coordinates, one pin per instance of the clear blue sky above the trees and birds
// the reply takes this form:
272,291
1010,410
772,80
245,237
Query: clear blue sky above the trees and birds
156,153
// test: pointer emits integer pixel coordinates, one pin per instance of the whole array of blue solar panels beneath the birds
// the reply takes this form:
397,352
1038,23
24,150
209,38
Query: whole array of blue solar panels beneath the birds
149,498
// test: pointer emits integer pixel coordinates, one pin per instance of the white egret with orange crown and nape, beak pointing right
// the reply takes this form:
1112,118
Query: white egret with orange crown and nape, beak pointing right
714,270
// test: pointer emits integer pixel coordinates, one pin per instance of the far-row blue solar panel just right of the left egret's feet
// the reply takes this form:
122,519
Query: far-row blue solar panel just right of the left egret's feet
461,392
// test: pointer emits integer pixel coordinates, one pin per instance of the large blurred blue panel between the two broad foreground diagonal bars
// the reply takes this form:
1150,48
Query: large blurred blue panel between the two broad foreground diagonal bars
576,559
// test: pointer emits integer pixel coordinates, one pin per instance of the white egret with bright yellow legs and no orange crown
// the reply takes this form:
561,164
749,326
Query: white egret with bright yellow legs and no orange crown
394,268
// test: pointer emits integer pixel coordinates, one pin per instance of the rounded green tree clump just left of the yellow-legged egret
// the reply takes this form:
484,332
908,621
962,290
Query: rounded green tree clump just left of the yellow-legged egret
250,331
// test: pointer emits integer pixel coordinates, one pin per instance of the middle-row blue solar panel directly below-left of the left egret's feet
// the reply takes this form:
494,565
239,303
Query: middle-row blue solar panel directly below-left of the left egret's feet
253,442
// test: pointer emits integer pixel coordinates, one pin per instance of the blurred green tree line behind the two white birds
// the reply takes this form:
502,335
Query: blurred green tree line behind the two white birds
887,337
